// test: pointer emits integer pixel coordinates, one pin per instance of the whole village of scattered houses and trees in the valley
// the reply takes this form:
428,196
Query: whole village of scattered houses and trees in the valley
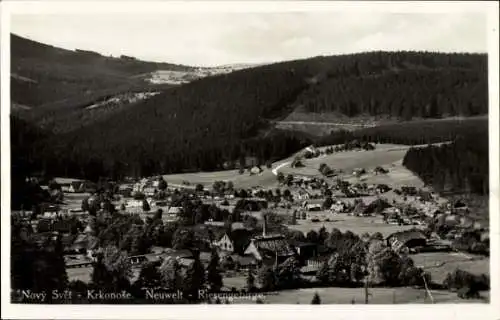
254,228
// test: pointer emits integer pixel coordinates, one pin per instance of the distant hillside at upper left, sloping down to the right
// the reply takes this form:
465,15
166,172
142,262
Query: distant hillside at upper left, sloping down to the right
43,74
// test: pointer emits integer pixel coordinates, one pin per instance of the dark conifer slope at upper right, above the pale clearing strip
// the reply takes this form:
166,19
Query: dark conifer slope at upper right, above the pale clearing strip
403,85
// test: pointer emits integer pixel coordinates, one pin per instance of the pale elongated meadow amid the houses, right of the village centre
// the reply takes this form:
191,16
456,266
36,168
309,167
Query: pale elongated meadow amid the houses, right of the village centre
343,222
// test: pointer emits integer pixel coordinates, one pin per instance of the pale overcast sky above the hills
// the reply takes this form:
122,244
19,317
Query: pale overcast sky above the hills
209,39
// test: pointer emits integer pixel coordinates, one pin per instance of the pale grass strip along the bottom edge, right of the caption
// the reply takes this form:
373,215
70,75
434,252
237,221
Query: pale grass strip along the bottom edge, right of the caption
379,296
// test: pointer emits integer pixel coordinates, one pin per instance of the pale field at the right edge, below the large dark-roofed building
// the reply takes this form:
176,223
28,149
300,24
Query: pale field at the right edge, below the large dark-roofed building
439,264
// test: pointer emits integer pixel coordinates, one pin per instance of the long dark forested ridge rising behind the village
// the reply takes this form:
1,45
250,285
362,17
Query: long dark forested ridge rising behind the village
203,124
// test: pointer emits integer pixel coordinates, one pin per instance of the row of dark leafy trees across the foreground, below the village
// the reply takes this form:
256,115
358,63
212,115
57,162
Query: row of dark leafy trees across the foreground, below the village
350,261
